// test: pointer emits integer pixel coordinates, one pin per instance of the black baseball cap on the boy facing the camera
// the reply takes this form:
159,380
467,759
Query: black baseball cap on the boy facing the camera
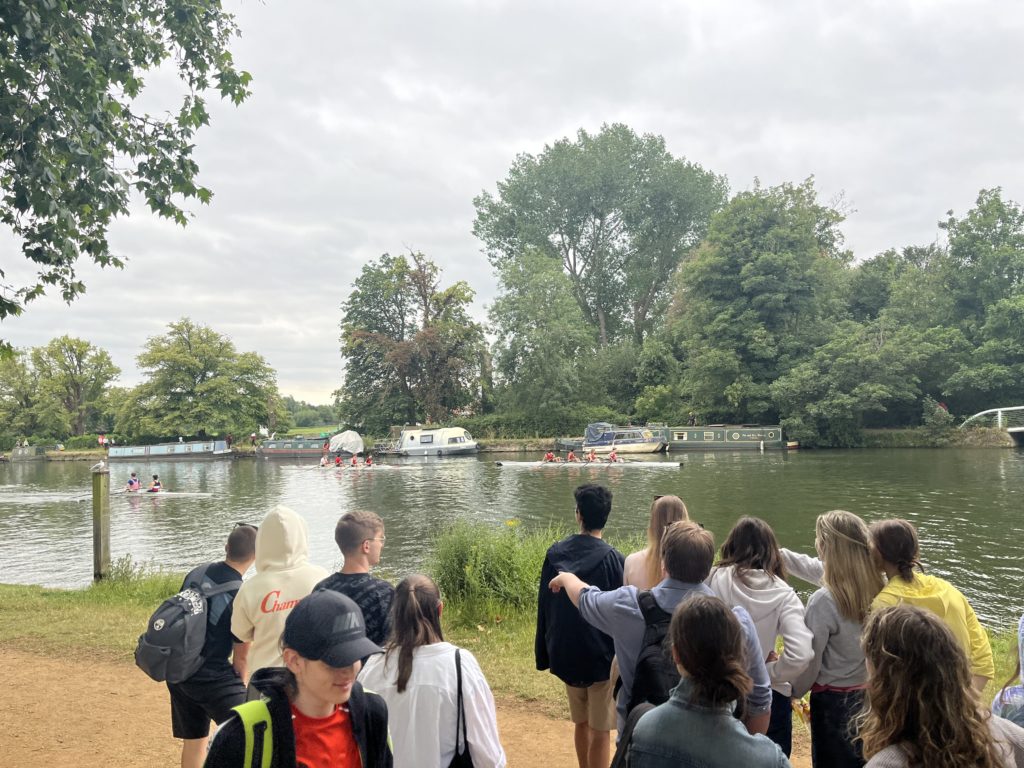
328,627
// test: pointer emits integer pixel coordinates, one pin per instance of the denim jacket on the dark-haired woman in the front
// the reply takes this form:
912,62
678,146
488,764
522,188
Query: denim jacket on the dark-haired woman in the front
682,735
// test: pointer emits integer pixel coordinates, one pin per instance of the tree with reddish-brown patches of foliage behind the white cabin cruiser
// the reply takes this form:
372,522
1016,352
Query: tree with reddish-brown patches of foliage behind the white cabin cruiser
410,348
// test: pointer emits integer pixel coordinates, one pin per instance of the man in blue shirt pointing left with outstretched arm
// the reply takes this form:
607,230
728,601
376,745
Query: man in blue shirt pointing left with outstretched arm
688,553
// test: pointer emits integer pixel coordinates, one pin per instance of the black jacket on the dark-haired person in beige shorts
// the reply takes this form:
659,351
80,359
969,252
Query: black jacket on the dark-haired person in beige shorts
575,652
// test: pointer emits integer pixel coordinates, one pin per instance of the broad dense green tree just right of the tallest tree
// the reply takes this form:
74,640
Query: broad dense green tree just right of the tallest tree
761,292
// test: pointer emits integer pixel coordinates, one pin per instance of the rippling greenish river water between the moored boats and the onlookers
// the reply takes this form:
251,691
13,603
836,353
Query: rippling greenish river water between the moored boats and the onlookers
968,506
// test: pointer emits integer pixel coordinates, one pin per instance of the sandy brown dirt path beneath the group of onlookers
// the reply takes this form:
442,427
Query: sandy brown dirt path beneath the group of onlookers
91,714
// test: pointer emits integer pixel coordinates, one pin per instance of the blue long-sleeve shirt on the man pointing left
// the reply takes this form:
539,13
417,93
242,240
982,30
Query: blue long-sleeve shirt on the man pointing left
618,614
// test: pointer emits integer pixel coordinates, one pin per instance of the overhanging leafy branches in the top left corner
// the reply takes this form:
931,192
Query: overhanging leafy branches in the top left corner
74,141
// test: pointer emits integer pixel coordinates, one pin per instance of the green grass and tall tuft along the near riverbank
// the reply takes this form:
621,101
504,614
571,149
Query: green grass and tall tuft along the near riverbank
488,577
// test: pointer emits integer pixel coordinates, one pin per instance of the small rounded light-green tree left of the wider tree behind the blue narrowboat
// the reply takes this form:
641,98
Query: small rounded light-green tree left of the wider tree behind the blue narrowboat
73,378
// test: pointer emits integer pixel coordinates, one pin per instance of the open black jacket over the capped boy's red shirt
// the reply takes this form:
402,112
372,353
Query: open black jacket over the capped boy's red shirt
369,718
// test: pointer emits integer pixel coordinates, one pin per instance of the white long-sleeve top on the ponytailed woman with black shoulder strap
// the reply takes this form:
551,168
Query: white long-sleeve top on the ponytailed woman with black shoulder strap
422,719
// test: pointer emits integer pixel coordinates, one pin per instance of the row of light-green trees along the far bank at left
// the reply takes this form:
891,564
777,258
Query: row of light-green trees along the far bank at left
196,385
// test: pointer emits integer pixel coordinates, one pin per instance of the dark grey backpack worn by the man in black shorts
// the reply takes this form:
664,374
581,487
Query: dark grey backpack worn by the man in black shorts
172,649
